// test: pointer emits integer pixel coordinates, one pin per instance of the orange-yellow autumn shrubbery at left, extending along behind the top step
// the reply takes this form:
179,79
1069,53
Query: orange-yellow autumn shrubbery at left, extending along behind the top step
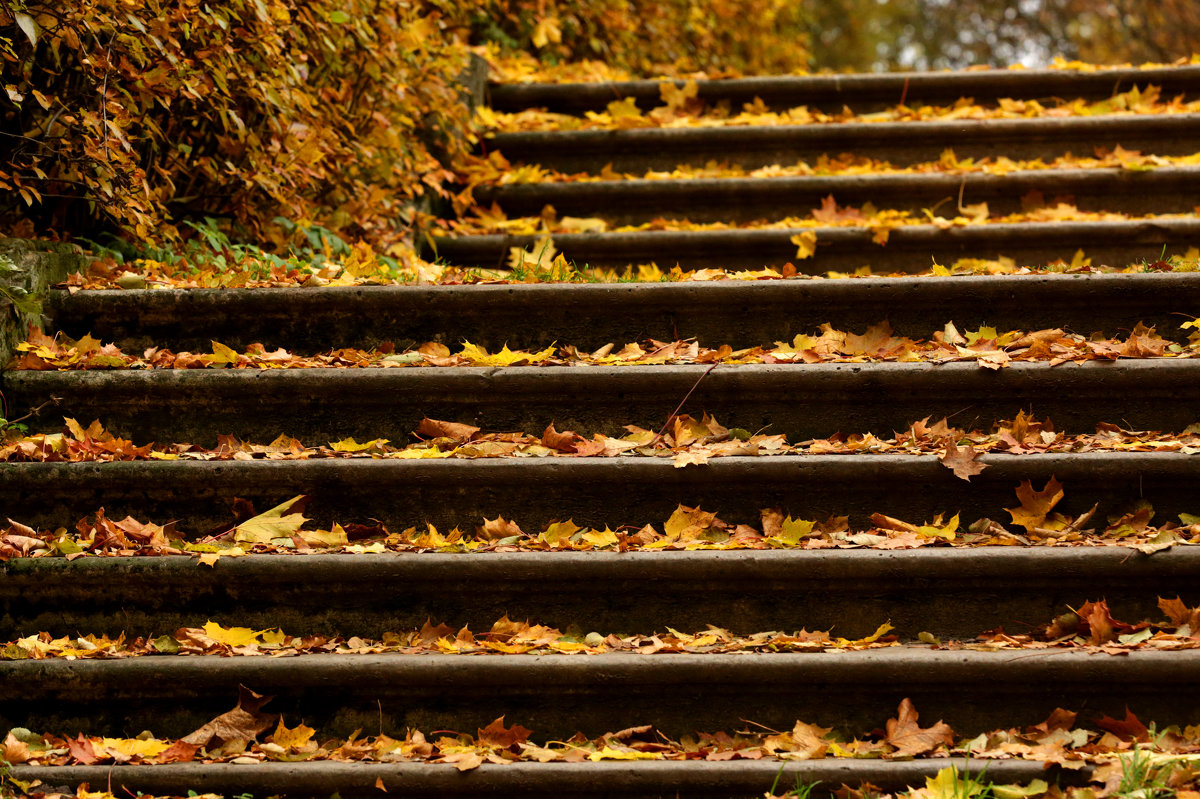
134,118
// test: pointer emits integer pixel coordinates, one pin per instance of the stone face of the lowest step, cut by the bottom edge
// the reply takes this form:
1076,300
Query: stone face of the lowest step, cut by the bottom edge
634,780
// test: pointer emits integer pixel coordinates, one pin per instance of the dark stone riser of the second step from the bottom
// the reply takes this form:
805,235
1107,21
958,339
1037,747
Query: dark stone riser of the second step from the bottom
556,695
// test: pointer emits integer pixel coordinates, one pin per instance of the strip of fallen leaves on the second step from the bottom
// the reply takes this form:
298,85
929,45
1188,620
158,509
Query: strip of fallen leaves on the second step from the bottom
1093,628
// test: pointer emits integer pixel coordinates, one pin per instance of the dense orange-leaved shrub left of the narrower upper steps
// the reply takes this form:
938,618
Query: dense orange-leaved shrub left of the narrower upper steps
139,116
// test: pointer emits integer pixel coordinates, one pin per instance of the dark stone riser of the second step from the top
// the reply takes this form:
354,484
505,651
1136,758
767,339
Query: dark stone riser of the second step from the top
899,143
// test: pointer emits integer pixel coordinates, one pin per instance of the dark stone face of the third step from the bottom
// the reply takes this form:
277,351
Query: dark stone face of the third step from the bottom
951,593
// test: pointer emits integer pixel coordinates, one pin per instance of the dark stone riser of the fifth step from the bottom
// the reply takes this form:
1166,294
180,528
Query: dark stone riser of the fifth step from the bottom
802,401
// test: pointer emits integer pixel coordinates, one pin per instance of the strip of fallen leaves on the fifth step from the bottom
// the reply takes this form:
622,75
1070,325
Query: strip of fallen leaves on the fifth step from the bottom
988,347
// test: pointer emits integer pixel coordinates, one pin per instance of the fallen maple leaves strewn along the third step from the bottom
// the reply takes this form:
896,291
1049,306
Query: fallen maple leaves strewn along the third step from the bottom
285,530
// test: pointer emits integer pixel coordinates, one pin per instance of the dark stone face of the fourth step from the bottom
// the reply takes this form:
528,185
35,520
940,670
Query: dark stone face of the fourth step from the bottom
405,494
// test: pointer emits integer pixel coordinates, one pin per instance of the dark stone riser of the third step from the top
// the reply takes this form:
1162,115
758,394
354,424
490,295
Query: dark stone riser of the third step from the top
1163,191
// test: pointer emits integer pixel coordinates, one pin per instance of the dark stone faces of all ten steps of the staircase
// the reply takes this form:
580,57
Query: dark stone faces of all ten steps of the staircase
950,593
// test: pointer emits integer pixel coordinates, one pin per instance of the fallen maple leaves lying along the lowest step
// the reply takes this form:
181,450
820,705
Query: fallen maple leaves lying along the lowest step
235,738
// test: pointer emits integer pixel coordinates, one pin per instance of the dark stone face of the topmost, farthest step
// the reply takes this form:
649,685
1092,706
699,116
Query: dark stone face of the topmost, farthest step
859,92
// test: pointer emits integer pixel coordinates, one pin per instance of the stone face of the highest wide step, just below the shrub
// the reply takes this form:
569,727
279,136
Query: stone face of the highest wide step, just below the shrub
589,316
